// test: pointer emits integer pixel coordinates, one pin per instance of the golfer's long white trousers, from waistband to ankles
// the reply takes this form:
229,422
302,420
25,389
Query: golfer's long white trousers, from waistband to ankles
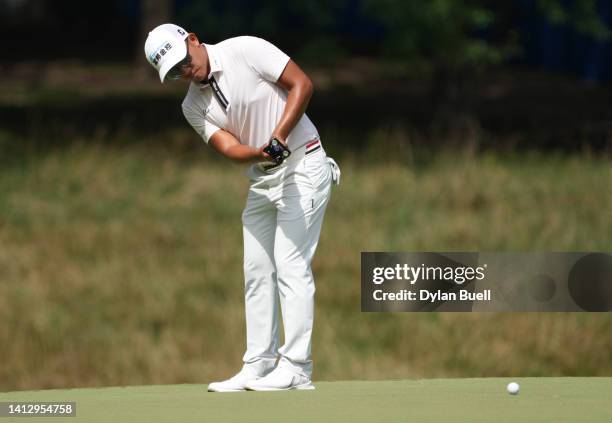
281,226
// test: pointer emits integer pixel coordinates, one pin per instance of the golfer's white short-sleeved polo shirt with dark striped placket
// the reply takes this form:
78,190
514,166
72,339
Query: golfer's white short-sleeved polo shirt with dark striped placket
247,102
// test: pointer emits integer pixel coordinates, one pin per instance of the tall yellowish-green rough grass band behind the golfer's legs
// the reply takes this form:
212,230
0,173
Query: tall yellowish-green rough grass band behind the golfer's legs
122,265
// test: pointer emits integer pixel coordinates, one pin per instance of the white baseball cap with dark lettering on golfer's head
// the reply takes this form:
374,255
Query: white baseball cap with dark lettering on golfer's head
165,47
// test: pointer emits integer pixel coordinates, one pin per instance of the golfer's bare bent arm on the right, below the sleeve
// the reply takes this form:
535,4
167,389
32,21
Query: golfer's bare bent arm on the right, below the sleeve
299,88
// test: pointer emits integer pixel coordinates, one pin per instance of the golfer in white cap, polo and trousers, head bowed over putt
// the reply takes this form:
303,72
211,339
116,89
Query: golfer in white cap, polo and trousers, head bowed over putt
244,93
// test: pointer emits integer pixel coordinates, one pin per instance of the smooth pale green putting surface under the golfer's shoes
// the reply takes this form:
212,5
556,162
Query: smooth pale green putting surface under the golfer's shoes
456,400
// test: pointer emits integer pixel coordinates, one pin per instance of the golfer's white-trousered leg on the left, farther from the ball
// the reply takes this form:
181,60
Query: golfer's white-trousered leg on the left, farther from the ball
261,293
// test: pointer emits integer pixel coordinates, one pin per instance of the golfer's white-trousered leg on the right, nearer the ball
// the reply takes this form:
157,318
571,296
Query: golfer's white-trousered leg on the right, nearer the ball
299,225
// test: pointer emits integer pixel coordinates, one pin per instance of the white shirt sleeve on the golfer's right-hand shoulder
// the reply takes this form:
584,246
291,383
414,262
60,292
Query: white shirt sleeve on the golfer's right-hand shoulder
265,58
